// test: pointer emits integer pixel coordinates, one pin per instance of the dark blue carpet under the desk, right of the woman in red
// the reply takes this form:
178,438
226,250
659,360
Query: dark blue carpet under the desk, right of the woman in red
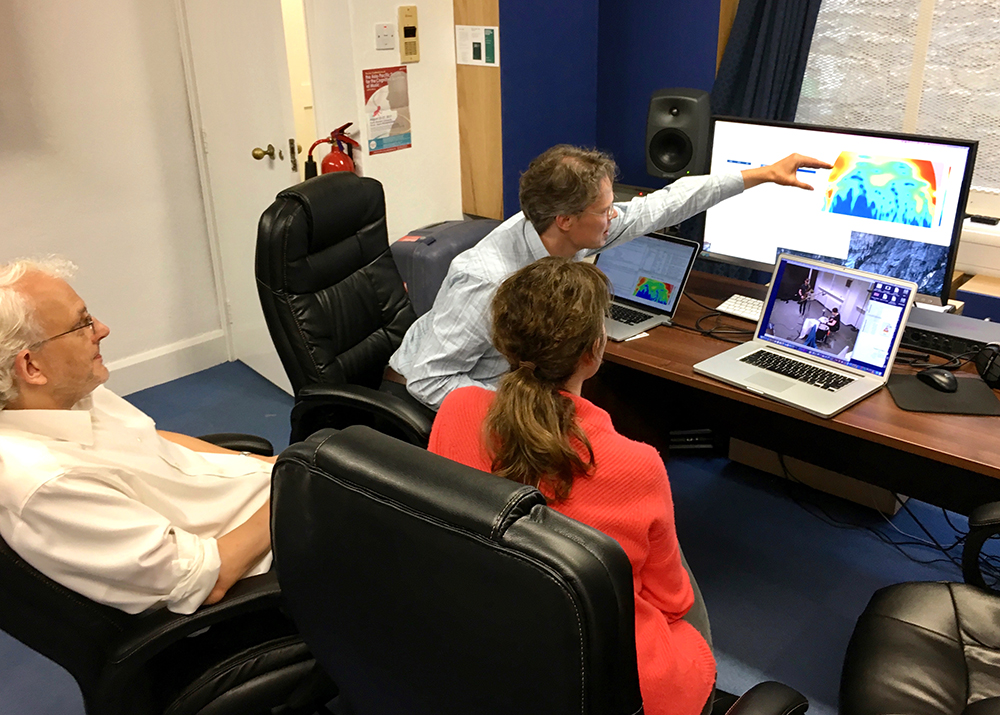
783,585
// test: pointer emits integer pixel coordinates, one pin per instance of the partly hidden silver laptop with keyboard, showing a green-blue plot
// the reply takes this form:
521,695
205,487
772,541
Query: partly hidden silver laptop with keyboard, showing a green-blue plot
648,275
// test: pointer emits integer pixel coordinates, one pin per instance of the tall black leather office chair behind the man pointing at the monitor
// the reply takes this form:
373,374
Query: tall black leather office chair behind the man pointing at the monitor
335,305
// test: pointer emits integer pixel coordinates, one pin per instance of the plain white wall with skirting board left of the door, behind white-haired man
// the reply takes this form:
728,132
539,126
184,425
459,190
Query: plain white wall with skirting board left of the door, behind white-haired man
97,163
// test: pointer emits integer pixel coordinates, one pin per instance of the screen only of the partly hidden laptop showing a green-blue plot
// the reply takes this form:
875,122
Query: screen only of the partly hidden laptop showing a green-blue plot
649,271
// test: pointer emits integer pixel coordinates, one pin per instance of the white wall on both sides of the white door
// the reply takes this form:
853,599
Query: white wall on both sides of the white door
97,159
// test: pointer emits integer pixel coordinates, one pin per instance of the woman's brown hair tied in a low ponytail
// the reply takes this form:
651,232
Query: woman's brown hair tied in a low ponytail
546,317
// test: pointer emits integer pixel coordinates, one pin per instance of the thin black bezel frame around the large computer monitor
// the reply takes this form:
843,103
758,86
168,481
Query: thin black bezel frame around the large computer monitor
971,144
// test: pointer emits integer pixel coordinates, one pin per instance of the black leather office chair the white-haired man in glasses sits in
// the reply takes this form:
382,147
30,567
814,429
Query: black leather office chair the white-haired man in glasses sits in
241,656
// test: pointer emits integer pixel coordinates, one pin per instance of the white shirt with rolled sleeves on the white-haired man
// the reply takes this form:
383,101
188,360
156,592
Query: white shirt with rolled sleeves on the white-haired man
99,502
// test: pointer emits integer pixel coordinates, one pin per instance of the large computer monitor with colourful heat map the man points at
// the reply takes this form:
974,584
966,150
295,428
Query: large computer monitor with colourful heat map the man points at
893,204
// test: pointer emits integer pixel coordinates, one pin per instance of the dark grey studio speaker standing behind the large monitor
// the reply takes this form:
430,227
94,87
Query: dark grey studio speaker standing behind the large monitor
677,129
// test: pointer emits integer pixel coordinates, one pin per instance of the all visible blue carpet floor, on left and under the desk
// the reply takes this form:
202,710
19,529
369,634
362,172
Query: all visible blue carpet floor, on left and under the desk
783,580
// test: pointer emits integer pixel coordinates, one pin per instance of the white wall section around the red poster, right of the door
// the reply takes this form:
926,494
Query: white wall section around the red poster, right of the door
423,183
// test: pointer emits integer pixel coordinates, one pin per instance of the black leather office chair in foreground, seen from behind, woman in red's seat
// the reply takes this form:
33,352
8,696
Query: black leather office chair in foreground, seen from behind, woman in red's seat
425,587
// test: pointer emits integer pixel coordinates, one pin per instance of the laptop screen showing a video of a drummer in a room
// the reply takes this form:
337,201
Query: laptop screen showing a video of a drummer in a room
809,303
